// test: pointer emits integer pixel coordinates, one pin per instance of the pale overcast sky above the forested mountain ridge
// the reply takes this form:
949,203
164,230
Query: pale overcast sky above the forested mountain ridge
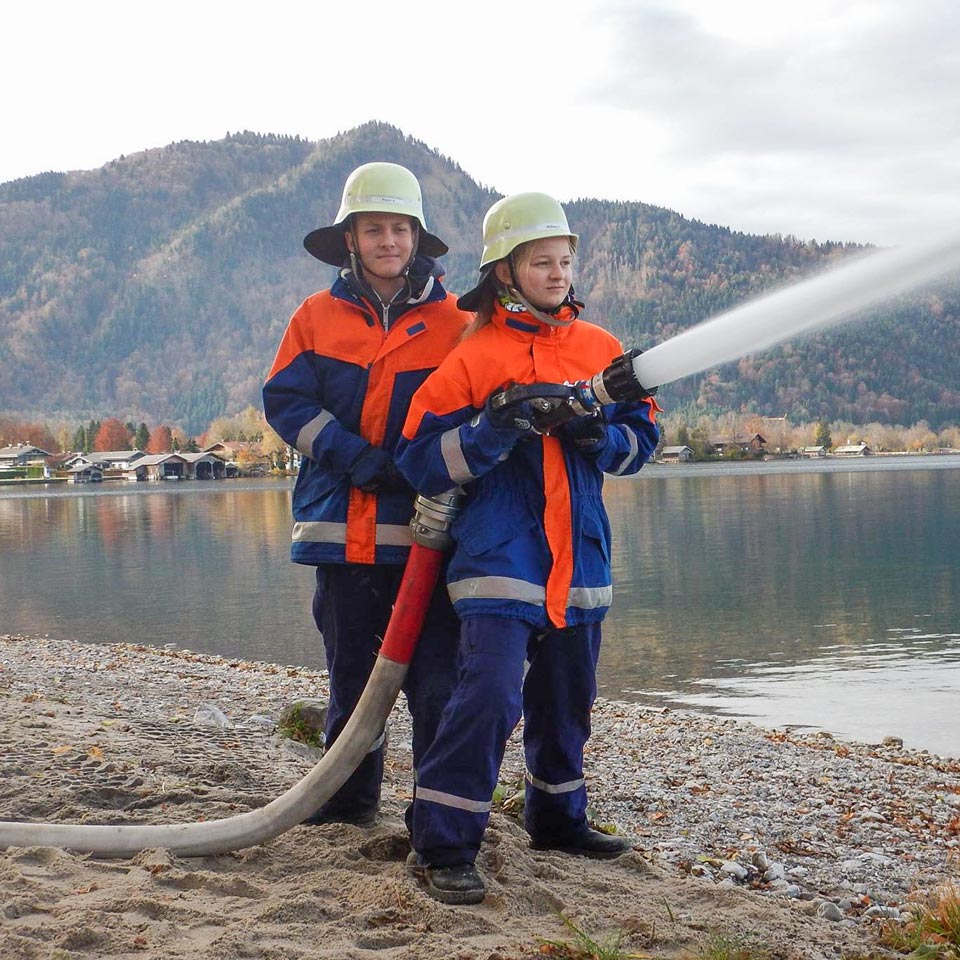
825,119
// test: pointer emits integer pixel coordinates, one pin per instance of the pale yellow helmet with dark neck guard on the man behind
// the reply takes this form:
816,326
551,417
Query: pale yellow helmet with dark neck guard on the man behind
374,188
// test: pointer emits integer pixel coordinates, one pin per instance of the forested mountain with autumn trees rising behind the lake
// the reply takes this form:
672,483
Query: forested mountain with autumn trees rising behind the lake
157,287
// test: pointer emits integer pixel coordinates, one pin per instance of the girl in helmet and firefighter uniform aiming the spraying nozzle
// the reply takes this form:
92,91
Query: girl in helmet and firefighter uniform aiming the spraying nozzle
530,571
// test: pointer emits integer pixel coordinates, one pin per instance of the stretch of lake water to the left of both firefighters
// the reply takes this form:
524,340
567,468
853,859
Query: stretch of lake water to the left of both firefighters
206,567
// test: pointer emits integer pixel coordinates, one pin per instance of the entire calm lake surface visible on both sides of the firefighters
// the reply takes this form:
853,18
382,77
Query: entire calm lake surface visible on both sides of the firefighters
803,594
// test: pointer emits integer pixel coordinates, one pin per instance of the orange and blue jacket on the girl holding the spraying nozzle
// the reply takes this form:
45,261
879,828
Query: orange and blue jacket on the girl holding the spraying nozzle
532,538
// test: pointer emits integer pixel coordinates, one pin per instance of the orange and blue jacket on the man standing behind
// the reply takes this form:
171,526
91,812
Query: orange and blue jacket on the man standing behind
340,381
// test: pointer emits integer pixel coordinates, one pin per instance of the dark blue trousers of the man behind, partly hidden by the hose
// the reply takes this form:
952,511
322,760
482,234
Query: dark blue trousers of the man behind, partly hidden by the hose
351,608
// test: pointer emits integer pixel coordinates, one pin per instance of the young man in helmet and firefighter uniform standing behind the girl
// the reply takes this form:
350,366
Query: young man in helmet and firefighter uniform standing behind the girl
349,362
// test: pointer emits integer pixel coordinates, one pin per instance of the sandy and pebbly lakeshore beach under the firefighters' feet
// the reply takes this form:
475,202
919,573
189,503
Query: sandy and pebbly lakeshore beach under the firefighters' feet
793,846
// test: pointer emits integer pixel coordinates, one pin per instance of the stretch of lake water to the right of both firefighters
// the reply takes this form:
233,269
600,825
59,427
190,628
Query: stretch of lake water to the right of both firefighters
731,587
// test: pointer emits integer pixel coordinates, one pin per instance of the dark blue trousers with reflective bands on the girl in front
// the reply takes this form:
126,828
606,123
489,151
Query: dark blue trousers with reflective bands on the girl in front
458,772
